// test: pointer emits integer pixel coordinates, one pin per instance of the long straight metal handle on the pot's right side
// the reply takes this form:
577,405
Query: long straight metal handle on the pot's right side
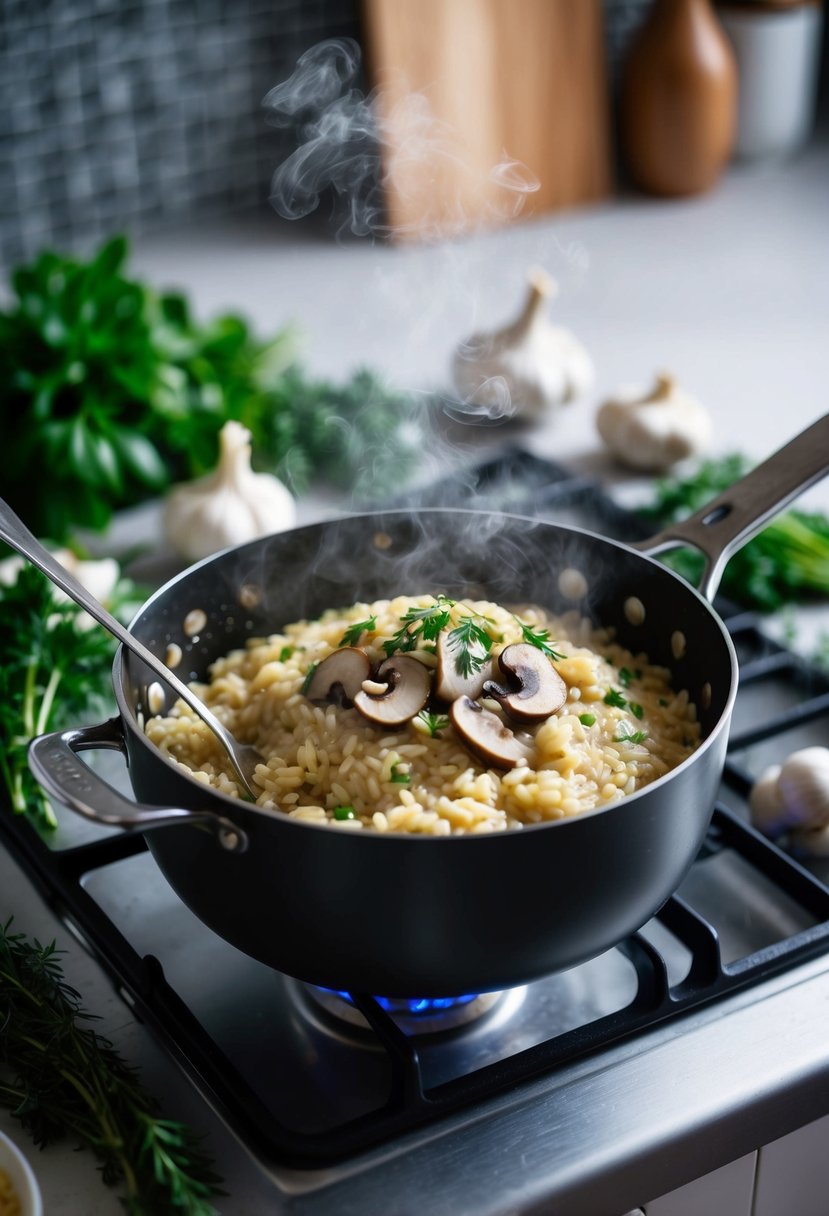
731,520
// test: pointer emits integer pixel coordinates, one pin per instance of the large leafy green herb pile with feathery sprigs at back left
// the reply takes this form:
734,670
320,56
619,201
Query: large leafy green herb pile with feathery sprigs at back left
114,391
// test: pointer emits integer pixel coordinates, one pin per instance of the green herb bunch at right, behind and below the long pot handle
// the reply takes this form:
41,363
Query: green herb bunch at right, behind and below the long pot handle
787,562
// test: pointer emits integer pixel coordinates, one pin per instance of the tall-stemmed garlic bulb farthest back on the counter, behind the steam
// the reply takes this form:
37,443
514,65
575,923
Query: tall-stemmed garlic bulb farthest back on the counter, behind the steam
526,369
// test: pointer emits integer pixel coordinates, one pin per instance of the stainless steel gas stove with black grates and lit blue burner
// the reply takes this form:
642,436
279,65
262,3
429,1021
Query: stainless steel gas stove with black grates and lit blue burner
349,1091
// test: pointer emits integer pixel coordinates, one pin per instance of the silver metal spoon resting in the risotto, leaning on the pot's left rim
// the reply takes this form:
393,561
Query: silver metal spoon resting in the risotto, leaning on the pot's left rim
13,530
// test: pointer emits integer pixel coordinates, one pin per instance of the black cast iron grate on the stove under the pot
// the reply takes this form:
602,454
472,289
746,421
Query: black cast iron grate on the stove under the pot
526,486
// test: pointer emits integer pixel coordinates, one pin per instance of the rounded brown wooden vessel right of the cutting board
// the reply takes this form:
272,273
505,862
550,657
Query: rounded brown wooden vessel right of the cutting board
679,99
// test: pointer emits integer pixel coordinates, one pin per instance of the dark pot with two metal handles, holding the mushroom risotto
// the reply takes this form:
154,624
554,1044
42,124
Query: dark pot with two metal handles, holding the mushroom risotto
409,916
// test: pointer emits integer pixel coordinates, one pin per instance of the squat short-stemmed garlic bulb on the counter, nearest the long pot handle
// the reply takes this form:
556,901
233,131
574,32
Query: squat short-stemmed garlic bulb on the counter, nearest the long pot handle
655,431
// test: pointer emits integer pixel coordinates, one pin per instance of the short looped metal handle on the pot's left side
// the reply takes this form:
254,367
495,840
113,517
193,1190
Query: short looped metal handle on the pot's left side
55,764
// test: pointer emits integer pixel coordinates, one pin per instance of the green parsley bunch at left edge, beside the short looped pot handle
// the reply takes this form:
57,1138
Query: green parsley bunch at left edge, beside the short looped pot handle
53,671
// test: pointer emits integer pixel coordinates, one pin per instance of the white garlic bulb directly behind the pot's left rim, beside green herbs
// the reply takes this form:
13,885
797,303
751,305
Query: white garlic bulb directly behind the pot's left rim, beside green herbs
229,506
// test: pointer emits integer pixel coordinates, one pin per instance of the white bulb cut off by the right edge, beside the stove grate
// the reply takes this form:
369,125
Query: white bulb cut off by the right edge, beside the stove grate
794,797
